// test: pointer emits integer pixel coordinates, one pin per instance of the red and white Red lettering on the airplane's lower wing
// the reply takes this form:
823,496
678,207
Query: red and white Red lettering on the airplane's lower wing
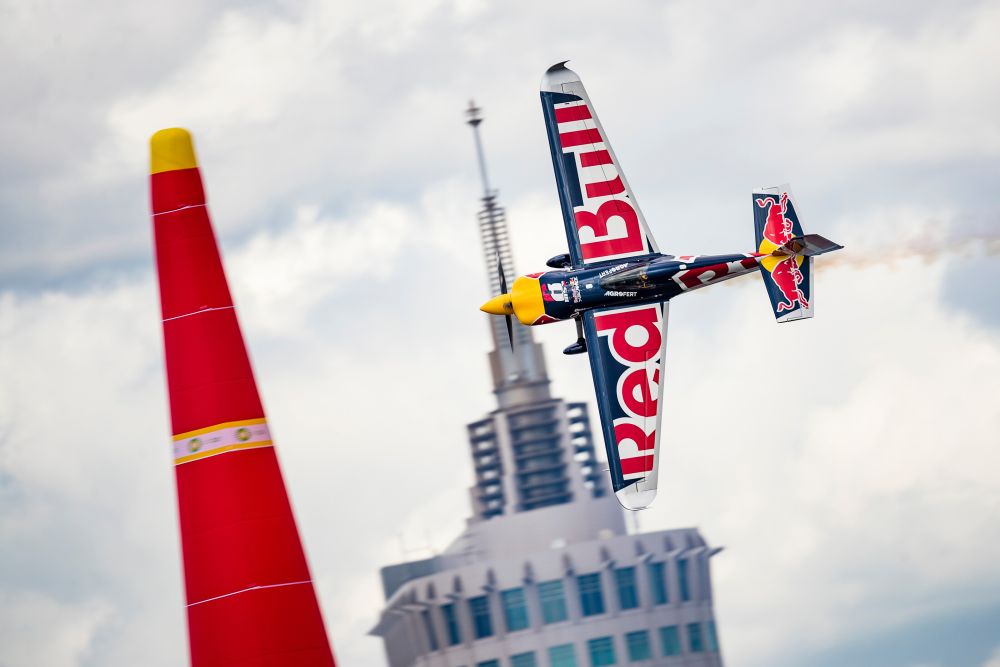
634,340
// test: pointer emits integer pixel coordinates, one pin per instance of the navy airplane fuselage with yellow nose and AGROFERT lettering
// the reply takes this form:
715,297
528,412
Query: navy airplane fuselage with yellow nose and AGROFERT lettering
562,294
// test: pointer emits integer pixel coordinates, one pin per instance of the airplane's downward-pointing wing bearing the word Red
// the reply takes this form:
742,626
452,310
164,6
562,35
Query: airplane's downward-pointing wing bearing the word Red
626,347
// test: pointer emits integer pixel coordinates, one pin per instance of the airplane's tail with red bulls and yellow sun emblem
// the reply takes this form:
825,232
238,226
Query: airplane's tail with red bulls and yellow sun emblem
787,265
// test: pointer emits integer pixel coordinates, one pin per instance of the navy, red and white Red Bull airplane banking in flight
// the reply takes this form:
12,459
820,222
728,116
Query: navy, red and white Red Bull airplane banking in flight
617,285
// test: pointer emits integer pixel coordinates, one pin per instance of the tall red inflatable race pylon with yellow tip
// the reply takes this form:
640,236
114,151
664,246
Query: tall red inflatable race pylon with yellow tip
250,598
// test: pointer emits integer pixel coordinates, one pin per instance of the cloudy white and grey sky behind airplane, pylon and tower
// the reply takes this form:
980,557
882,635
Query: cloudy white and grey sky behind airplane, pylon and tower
849,464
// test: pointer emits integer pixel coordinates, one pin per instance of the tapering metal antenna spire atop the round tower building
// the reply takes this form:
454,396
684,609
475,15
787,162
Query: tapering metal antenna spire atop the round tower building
518,374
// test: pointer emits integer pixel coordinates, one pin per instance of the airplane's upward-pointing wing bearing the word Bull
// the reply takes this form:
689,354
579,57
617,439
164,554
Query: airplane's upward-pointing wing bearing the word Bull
603,221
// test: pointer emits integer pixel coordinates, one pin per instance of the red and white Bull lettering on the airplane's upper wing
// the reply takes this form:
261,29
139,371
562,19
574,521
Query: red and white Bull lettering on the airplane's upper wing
608,224
